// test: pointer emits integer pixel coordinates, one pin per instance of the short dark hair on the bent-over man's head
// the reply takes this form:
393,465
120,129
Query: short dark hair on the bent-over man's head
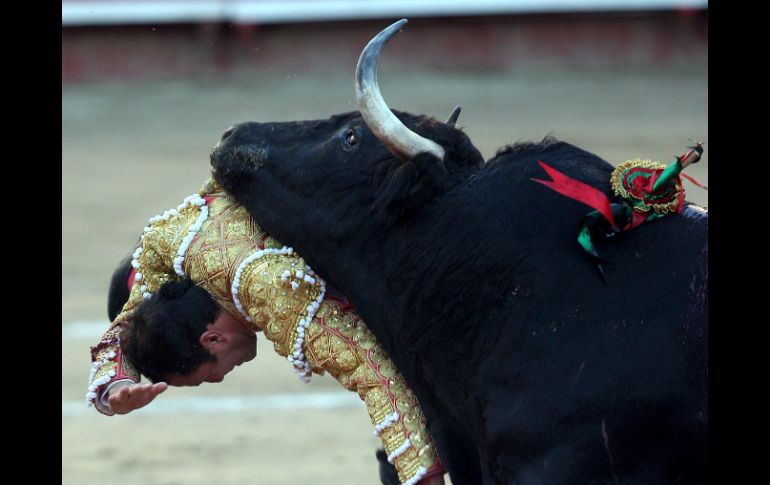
163,337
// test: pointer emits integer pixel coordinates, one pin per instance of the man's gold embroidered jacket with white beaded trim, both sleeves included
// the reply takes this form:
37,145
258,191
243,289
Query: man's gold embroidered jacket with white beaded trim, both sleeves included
269,288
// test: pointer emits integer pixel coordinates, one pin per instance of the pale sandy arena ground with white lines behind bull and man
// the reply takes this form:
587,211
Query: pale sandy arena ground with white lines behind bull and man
132,151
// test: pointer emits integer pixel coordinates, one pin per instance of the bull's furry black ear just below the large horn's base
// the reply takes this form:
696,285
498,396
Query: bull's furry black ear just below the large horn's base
402,187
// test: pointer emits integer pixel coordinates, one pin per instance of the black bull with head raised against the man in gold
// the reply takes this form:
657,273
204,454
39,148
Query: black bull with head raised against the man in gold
529,368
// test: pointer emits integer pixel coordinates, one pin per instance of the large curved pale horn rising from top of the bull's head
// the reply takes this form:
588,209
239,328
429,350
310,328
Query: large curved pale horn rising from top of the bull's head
400,140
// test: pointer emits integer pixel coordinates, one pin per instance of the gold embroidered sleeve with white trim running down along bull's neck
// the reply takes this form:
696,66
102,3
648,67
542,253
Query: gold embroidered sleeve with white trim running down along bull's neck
278,292
